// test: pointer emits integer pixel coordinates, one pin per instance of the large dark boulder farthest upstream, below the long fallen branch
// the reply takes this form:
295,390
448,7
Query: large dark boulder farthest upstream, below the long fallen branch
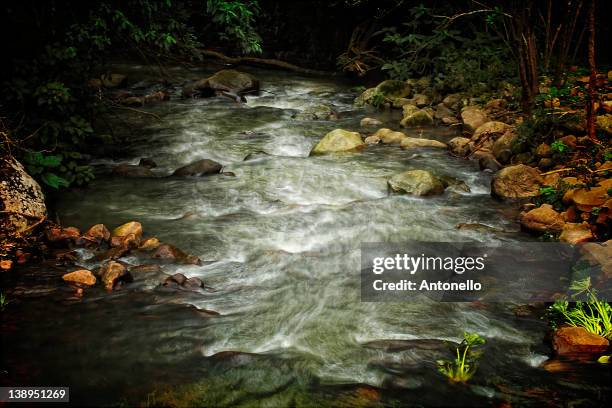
227,80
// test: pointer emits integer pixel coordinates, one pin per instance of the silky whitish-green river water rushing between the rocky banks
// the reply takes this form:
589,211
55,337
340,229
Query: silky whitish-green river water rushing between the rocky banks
280,241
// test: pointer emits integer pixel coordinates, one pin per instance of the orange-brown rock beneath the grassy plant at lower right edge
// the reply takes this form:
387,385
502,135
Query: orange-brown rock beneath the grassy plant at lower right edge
572,341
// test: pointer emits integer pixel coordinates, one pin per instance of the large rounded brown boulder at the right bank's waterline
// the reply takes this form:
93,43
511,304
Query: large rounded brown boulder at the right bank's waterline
516,182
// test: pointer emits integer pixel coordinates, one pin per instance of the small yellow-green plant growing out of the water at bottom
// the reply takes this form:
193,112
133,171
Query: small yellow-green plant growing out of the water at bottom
464,366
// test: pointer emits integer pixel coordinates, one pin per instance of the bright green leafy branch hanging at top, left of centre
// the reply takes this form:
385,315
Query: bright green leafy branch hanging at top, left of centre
236,19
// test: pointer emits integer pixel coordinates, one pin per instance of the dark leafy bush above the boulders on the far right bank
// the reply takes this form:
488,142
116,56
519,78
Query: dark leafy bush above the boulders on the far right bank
460,59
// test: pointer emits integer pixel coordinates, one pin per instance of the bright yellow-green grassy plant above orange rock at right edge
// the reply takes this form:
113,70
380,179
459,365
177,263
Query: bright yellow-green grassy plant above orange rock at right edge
593,314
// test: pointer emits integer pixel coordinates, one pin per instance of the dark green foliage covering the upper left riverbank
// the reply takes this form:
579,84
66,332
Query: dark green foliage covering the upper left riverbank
47,105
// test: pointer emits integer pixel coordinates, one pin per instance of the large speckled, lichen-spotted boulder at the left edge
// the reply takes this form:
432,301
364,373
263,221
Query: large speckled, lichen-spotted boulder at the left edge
22,203
